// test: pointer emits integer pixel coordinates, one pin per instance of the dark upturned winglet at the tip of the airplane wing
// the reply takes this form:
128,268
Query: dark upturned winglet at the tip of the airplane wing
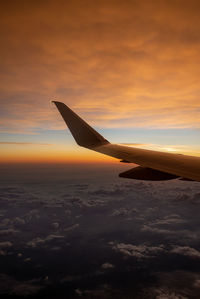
84,135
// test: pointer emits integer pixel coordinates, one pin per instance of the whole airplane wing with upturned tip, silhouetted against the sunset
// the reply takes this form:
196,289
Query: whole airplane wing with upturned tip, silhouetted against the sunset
153,165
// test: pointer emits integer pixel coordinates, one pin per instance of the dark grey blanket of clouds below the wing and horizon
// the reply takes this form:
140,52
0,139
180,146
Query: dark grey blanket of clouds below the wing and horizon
142,243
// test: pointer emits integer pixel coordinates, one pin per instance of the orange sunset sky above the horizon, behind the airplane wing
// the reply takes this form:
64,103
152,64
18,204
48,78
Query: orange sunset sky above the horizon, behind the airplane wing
130,68
